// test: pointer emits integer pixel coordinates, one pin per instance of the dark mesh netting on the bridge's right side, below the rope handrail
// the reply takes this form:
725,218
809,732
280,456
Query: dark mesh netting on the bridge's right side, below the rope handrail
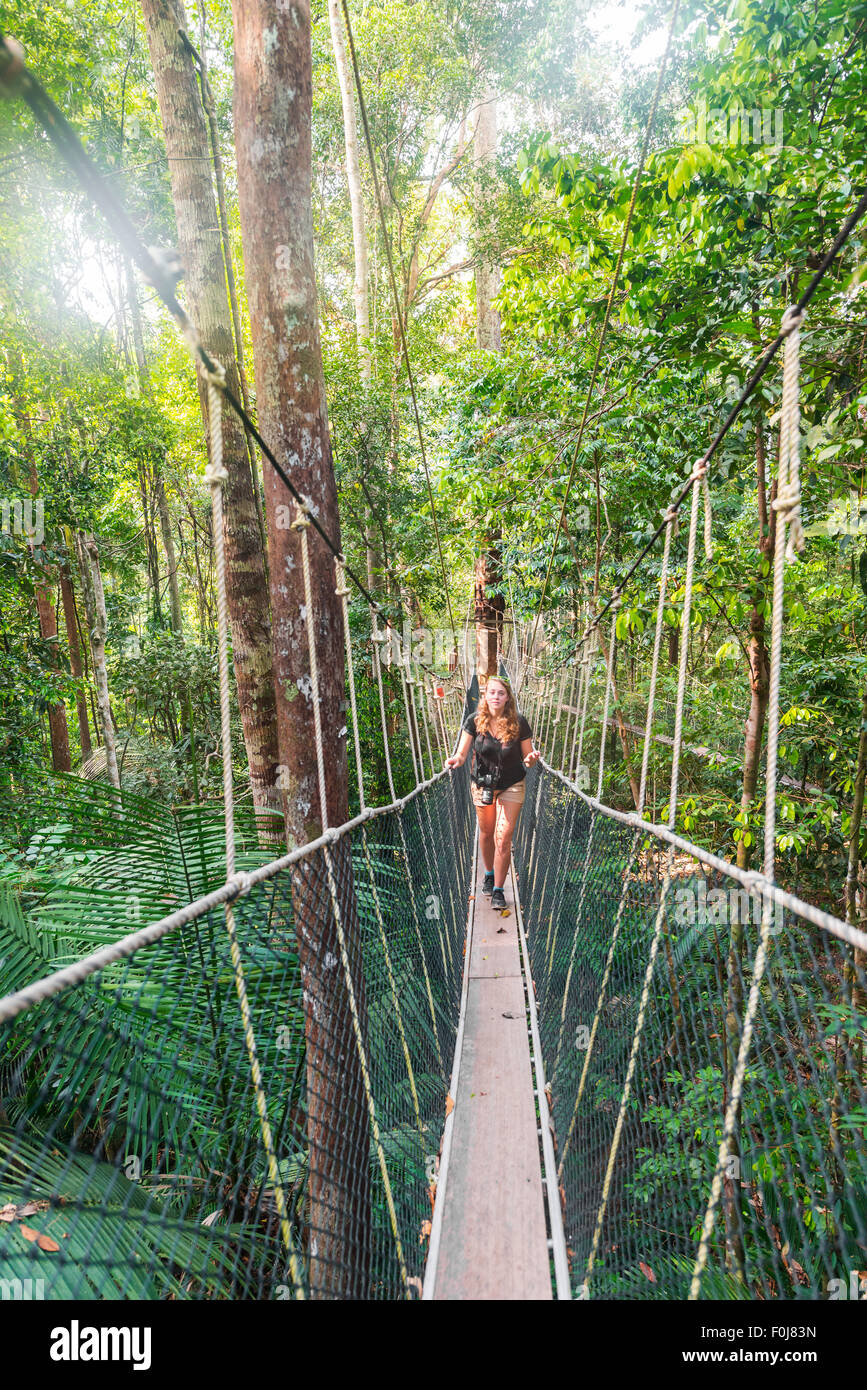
637,1166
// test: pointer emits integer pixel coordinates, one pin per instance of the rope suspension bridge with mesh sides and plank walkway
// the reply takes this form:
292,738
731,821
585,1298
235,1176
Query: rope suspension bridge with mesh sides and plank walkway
344,1075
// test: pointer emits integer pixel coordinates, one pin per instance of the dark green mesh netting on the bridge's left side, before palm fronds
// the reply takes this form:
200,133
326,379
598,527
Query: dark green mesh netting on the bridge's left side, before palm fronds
131,1150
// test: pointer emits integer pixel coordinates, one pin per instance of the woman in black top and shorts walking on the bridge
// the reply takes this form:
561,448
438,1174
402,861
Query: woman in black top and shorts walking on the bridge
502,751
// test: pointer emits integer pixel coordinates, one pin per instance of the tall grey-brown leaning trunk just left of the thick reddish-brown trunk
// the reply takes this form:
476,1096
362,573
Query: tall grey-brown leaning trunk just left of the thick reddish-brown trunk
190,163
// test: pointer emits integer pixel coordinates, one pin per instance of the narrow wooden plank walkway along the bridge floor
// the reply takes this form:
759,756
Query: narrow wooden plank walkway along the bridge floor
494,1242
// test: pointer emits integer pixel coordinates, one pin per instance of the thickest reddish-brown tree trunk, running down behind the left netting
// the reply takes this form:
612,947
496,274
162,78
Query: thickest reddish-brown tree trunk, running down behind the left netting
273,117
